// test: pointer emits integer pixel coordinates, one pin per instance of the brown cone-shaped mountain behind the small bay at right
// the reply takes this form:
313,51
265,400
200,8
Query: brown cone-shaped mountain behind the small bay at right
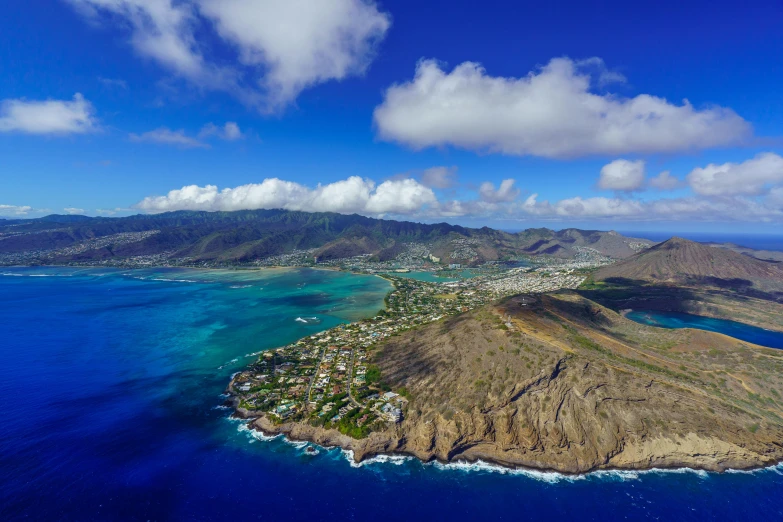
682,261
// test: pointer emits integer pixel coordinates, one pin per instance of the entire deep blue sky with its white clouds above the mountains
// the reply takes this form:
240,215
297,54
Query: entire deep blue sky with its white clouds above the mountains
510,114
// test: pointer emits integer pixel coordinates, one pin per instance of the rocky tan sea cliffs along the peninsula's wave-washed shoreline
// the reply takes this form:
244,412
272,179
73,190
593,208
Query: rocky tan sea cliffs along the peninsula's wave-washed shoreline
698,453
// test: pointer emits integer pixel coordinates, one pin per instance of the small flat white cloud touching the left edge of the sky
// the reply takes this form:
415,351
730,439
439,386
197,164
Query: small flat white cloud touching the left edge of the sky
48,117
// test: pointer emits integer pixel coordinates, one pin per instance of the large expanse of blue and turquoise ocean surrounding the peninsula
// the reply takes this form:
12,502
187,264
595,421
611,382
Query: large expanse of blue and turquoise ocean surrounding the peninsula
110,389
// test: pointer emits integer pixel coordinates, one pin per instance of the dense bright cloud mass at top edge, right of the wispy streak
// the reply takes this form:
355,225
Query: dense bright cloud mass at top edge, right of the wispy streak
299,42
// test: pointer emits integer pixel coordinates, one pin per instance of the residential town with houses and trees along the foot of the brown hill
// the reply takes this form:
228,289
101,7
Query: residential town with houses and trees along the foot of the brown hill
328,379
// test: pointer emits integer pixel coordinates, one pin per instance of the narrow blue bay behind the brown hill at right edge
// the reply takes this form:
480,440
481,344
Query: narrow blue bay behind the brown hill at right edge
741,331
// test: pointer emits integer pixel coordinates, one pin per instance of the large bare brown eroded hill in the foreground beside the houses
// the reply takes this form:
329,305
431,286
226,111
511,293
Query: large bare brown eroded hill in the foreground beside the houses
559,382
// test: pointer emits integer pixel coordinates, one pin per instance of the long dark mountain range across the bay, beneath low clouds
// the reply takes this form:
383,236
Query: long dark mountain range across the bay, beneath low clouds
248,235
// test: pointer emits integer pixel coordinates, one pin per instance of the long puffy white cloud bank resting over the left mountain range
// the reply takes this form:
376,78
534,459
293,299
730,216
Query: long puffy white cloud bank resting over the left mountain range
352,195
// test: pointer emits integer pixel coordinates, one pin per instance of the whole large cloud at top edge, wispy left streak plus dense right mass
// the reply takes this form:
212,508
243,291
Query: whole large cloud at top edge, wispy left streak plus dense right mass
281,47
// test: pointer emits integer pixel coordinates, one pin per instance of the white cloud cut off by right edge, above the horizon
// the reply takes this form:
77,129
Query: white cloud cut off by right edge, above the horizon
752,177
